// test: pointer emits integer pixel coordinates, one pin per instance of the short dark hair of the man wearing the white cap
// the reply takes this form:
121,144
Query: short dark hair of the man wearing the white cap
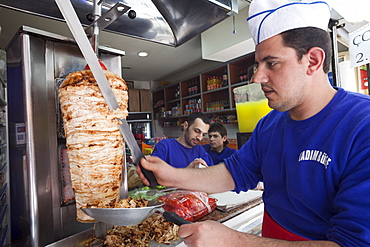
303,39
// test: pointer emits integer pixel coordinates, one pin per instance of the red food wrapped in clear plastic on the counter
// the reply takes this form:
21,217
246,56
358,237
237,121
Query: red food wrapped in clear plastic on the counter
190,205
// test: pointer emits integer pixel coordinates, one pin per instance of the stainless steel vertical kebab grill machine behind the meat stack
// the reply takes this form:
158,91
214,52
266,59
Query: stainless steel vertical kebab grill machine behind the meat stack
43,210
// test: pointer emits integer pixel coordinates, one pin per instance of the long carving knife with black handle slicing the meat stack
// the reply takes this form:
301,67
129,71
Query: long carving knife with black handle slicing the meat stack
83,43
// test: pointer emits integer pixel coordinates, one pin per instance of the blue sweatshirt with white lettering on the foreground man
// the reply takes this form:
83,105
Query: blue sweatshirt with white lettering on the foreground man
316,172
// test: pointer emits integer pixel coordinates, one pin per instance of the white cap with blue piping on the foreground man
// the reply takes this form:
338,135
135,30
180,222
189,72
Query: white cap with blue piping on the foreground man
268,18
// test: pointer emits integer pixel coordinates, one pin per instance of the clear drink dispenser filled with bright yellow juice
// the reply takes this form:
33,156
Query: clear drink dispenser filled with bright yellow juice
251,105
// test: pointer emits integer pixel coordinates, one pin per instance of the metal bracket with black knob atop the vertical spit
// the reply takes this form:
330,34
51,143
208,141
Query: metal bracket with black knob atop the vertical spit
108,17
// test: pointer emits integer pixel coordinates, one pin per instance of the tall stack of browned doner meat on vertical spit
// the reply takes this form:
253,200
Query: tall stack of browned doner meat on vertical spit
95,144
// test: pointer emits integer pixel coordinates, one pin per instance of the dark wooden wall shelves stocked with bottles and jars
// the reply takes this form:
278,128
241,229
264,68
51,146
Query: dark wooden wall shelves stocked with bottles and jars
210,92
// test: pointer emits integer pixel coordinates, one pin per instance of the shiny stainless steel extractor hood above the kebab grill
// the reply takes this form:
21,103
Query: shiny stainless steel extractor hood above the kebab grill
169,22
